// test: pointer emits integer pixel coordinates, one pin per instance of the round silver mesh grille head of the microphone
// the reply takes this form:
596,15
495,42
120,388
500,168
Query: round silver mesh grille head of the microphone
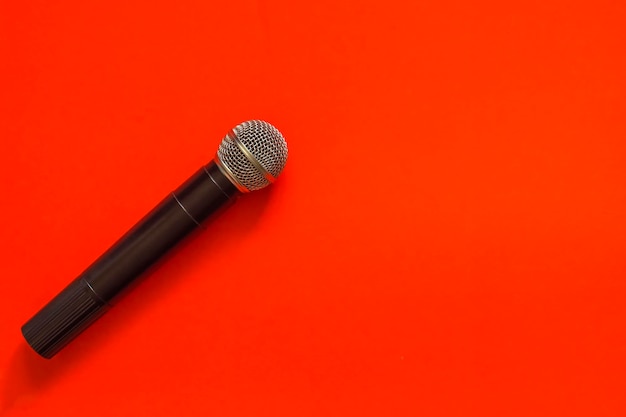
264,143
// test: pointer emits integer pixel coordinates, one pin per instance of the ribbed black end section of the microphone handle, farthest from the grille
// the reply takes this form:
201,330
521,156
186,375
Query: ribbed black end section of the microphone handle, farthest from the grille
63,318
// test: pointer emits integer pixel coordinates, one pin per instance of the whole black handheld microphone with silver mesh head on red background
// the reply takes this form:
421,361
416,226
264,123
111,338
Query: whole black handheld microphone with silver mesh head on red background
249,158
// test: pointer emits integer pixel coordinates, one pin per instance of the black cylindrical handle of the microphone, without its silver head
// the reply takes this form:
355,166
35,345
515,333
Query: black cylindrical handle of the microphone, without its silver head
90,295
